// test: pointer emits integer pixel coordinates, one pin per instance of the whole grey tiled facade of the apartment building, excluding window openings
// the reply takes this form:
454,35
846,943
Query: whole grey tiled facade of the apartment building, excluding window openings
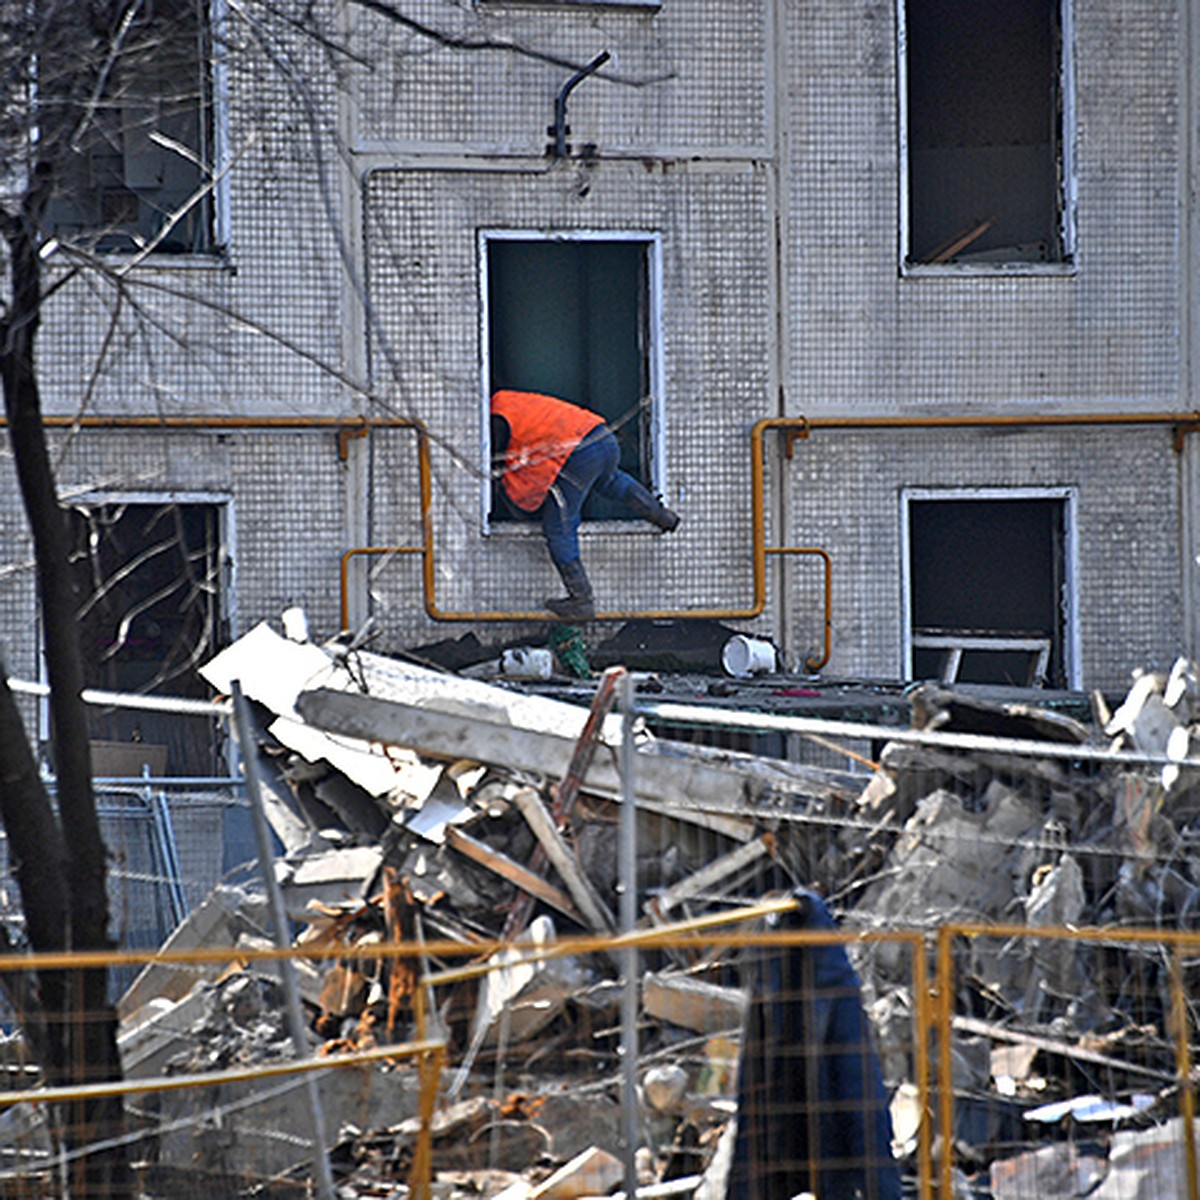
759,142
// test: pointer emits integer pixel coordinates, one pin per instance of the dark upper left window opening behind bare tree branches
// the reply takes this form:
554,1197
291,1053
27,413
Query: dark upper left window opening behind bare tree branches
137,172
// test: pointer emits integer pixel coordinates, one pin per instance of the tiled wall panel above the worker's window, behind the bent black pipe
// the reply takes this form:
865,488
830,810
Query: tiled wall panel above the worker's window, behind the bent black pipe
685,77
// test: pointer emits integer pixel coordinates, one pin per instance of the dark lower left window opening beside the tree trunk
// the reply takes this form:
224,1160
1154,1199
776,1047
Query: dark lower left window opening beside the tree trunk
148,580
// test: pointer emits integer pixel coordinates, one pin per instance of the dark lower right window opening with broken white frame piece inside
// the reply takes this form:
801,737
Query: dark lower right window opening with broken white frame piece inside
989,591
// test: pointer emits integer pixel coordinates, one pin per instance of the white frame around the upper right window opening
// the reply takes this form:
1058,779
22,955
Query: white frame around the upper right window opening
1070,187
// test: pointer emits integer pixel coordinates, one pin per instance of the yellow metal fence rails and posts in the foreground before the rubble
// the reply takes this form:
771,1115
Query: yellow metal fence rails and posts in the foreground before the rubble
934,1021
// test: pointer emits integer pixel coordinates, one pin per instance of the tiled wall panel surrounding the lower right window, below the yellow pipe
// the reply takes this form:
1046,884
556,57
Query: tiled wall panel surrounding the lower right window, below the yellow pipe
847,491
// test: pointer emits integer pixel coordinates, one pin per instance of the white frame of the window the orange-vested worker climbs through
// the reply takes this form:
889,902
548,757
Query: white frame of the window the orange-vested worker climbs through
655,357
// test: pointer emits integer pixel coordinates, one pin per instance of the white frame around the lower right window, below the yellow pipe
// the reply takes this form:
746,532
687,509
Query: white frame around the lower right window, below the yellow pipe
1070,605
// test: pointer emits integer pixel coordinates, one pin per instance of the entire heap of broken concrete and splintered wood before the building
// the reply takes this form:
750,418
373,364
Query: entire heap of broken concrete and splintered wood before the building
423,808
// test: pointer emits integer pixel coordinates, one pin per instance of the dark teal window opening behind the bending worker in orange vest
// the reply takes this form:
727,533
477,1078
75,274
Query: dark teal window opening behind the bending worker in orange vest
573,317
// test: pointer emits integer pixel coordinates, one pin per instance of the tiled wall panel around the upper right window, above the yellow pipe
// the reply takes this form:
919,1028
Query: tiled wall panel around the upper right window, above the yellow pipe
862,338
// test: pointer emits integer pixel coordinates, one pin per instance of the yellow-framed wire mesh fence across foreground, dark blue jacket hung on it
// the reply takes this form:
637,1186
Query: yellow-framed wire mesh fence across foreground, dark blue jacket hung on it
827,1043
